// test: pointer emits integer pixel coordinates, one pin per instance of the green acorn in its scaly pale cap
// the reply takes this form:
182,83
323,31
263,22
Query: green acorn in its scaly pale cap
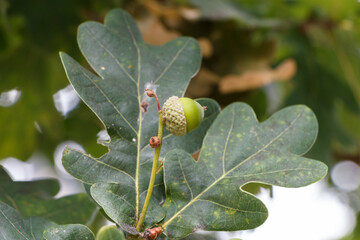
181,115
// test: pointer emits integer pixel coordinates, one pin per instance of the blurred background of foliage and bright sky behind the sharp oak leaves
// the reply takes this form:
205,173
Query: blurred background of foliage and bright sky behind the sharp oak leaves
269,54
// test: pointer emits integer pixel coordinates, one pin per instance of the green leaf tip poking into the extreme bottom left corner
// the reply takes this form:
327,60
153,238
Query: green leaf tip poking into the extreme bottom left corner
12,226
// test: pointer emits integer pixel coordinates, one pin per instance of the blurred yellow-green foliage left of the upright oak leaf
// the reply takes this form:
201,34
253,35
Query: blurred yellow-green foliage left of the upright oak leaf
31,35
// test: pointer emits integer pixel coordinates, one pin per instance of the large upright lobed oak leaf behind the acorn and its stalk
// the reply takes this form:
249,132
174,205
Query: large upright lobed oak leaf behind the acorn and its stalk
126,65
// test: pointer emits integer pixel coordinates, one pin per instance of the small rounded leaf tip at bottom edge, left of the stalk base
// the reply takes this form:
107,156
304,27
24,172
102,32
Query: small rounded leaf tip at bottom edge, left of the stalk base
69,232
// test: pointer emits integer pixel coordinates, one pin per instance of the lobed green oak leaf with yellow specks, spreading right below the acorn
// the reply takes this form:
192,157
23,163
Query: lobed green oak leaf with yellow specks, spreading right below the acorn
206,194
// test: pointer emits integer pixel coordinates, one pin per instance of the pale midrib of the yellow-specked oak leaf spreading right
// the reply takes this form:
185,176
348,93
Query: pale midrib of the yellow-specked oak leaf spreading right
224,175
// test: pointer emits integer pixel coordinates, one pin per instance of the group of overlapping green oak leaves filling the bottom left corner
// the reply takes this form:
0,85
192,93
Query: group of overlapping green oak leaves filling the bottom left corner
27,209
